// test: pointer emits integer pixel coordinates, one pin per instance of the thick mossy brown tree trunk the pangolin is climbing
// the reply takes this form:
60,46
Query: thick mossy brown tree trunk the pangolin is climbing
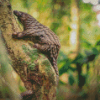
34,68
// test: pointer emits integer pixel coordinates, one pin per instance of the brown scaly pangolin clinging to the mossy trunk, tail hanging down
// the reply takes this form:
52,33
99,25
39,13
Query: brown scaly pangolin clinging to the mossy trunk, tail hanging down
44,39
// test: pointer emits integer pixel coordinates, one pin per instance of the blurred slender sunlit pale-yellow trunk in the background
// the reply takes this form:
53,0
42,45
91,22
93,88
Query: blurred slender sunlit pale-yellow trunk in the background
74,34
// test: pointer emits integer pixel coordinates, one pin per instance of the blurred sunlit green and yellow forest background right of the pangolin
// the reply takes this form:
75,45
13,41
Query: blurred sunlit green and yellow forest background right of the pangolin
76,23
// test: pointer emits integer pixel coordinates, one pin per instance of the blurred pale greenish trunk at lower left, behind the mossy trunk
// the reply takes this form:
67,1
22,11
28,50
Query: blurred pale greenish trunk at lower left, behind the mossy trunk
6,76
